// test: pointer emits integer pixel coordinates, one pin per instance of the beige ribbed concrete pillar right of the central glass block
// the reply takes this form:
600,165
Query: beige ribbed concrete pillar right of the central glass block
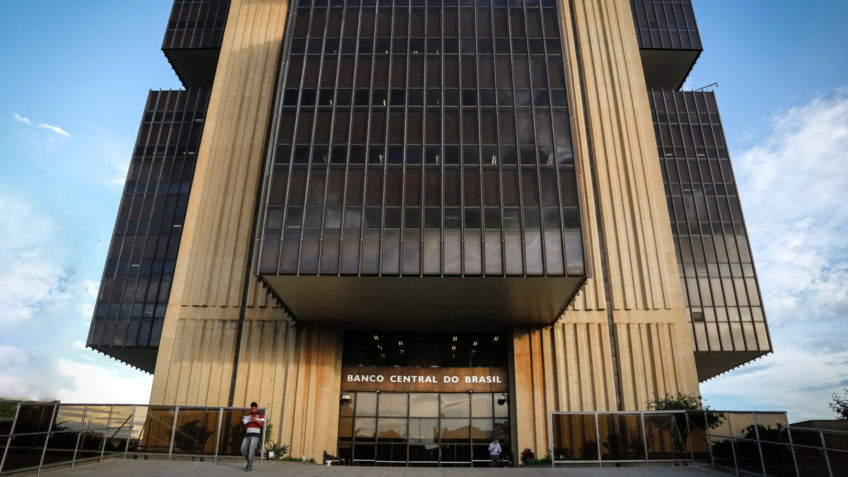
625,339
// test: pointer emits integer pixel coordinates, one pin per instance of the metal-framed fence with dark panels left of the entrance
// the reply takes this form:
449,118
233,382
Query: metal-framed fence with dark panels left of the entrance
34,436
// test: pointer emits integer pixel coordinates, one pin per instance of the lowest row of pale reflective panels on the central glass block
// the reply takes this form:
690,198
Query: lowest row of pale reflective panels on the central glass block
433,253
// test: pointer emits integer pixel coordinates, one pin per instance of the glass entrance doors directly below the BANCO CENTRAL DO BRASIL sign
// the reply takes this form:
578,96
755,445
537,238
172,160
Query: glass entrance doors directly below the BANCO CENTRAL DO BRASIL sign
421,429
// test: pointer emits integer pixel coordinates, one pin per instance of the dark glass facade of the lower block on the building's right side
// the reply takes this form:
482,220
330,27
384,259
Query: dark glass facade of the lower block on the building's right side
713,253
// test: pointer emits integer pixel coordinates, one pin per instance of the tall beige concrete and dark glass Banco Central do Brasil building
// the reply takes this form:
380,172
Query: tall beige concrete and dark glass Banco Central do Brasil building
409,226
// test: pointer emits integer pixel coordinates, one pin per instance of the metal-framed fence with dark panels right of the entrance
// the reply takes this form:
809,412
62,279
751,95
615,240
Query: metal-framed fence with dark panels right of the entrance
744,443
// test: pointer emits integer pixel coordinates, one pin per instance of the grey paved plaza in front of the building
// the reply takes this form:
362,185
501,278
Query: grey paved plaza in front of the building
139,468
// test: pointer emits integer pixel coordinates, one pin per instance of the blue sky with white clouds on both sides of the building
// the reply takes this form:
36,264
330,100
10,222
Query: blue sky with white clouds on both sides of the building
75,76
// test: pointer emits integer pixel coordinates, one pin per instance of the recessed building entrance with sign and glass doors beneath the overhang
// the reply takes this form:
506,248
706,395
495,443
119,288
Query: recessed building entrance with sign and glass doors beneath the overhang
442,414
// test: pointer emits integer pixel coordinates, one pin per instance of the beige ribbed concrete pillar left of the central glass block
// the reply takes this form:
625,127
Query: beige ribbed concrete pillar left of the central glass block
293,372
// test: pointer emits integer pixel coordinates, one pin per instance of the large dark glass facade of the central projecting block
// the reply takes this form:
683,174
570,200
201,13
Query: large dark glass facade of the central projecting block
422,138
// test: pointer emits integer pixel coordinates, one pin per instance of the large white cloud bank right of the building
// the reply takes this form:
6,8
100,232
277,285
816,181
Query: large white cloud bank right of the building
793,186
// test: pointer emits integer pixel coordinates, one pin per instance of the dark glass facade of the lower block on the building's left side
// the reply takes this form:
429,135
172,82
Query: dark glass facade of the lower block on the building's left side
136,283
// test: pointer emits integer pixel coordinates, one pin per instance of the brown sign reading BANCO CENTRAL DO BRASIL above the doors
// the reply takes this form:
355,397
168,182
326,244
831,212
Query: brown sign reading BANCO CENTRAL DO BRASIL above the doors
374,378
